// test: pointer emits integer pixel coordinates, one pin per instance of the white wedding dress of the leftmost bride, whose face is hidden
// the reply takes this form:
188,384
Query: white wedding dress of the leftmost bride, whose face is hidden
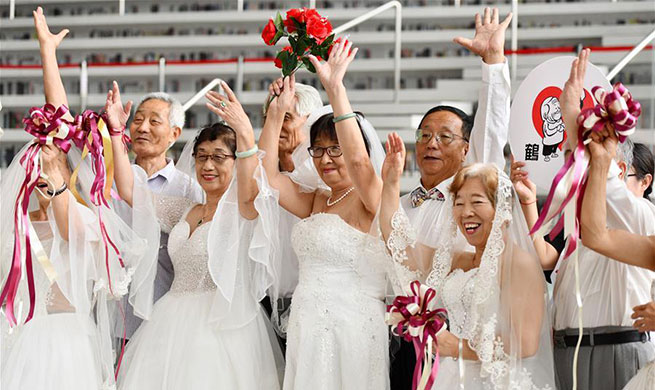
58,348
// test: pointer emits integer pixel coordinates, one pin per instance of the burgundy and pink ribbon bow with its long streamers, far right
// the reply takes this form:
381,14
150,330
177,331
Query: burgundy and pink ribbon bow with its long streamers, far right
615,109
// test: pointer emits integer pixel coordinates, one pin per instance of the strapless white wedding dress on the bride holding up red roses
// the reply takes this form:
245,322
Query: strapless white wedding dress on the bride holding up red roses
337,338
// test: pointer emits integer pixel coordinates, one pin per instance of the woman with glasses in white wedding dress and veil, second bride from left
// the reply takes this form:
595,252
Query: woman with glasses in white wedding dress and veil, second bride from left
208,331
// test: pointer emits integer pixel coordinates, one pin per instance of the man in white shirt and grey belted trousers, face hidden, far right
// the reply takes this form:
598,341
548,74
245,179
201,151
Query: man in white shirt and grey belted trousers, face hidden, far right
611,350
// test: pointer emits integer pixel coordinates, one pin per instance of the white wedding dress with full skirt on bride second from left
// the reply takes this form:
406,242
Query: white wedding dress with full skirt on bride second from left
179,347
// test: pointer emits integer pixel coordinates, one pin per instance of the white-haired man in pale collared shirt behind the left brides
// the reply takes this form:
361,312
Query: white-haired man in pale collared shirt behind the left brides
156,125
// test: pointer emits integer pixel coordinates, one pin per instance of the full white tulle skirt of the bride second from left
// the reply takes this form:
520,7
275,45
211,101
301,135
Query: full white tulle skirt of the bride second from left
179,349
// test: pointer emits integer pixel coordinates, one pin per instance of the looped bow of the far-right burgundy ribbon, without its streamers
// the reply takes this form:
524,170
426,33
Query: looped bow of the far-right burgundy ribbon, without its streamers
616,107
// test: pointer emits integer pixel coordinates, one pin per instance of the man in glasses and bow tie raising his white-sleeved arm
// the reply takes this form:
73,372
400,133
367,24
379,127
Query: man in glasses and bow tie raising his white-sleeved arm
447,138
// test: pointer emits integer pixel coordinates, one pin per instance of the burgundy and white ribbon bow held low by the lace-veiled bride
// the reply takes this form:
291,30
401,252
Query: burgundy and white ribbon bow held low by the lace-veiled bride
416,319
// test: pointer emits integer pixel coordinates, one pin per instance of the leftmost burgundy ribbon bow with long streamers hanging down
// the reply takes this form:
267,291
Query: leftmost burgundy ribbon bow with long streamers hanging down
48,127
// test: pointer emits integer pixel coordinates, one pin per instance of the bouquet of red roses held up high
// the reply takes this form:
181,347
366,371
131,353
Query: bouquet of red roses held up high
307,32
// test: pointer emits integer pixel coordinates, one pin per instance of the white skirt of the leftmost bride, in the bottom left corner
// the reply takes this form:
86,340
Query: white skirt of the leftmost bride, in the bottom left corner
53,352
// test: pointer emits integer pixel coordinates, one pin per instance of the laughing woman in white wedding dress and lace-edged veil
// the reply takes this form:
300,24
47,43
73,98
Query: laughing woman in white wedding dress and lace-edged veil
495,294
